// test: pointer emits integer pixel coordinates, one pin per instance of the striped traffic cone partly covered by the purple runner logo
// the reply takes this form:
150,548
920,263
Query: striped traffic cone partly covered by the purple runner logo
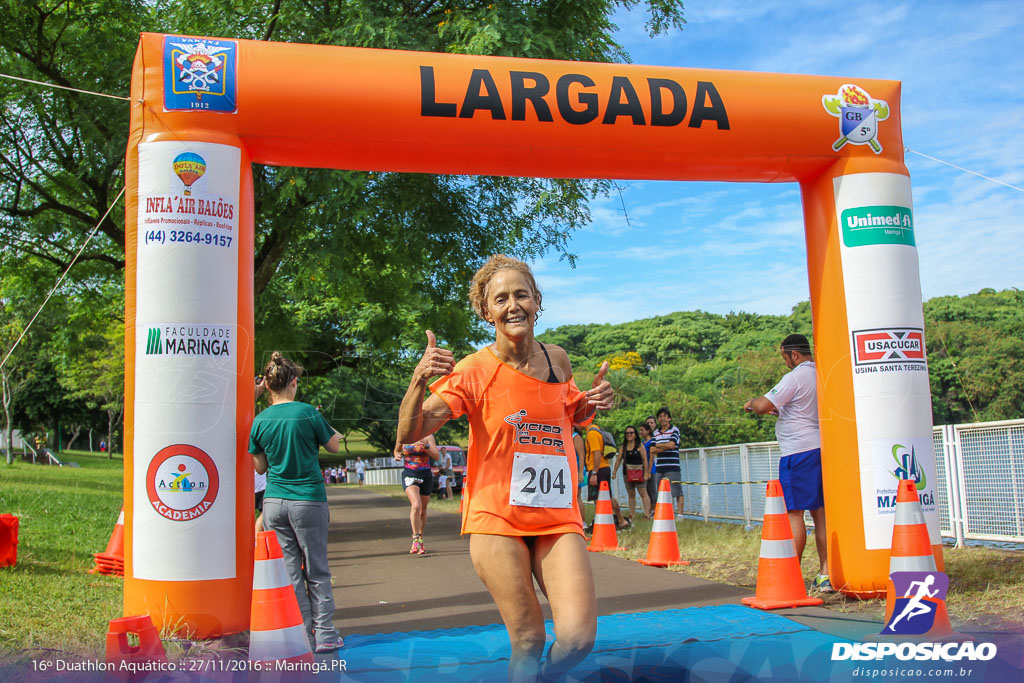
912,551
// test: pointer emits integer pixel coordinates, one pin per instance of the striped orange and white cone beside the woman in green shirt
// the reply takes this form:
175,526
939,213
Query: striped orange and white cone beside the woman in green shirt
277,632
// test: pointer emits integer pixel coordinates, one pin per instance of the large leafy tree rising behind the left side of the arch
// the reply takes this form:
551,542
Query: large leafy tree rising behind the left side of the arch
351,267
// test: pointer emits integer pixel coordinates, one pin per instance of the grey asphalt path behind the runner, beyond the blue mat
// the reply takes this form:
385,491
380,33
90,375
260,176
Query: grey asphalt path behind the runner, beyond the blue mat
380,588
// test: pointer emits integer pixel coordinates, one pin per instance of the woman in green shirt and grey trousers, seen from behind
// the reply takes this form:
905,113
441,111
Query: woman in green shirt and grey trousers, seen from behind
285,443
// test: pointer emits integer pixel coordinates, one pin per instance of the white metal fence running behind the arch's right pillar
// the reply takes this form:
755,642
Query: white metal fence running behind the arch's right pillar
980,490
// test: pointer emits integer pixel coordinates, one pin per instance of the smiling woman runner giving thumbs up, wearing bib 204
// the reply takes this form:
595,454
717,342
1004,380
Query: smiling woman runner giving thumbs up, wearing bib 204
522,514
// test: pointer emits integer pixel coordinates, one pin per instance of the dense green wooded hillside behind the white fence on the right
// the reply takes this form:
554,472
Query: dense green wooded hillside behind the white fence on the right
704,367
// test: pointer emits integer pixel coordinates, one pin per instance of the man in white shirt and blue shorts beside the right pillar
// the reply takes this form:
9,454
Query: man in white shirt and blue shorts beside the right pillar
794,400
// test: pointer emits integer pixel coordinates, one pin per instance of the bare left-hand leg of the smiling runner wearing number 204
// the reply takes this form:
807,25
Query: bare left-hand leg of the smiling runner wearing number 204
503,564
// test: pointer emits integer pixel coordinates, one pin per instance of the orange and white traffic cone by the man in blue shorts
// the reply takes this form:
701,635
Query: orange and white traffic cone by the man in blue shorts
780,582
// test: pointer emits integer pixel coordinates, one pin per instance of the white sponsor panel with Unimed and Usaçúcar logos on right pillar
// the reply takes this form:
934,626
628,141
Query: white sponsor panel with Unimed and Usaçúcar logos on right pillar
892,398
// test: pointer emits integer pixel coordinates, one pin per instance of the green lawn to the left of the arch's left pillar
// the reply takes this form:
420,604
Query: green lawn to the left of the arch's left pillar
49,600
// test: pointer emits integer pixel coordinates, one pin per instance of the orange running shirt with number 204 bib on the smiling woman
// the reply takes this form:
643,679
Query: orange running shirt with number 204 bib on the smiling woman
522,466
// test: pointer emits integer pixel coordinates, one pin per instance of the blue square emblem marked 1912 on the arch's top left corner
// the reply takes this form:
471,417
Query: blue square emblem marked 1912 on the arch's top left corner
200,75
